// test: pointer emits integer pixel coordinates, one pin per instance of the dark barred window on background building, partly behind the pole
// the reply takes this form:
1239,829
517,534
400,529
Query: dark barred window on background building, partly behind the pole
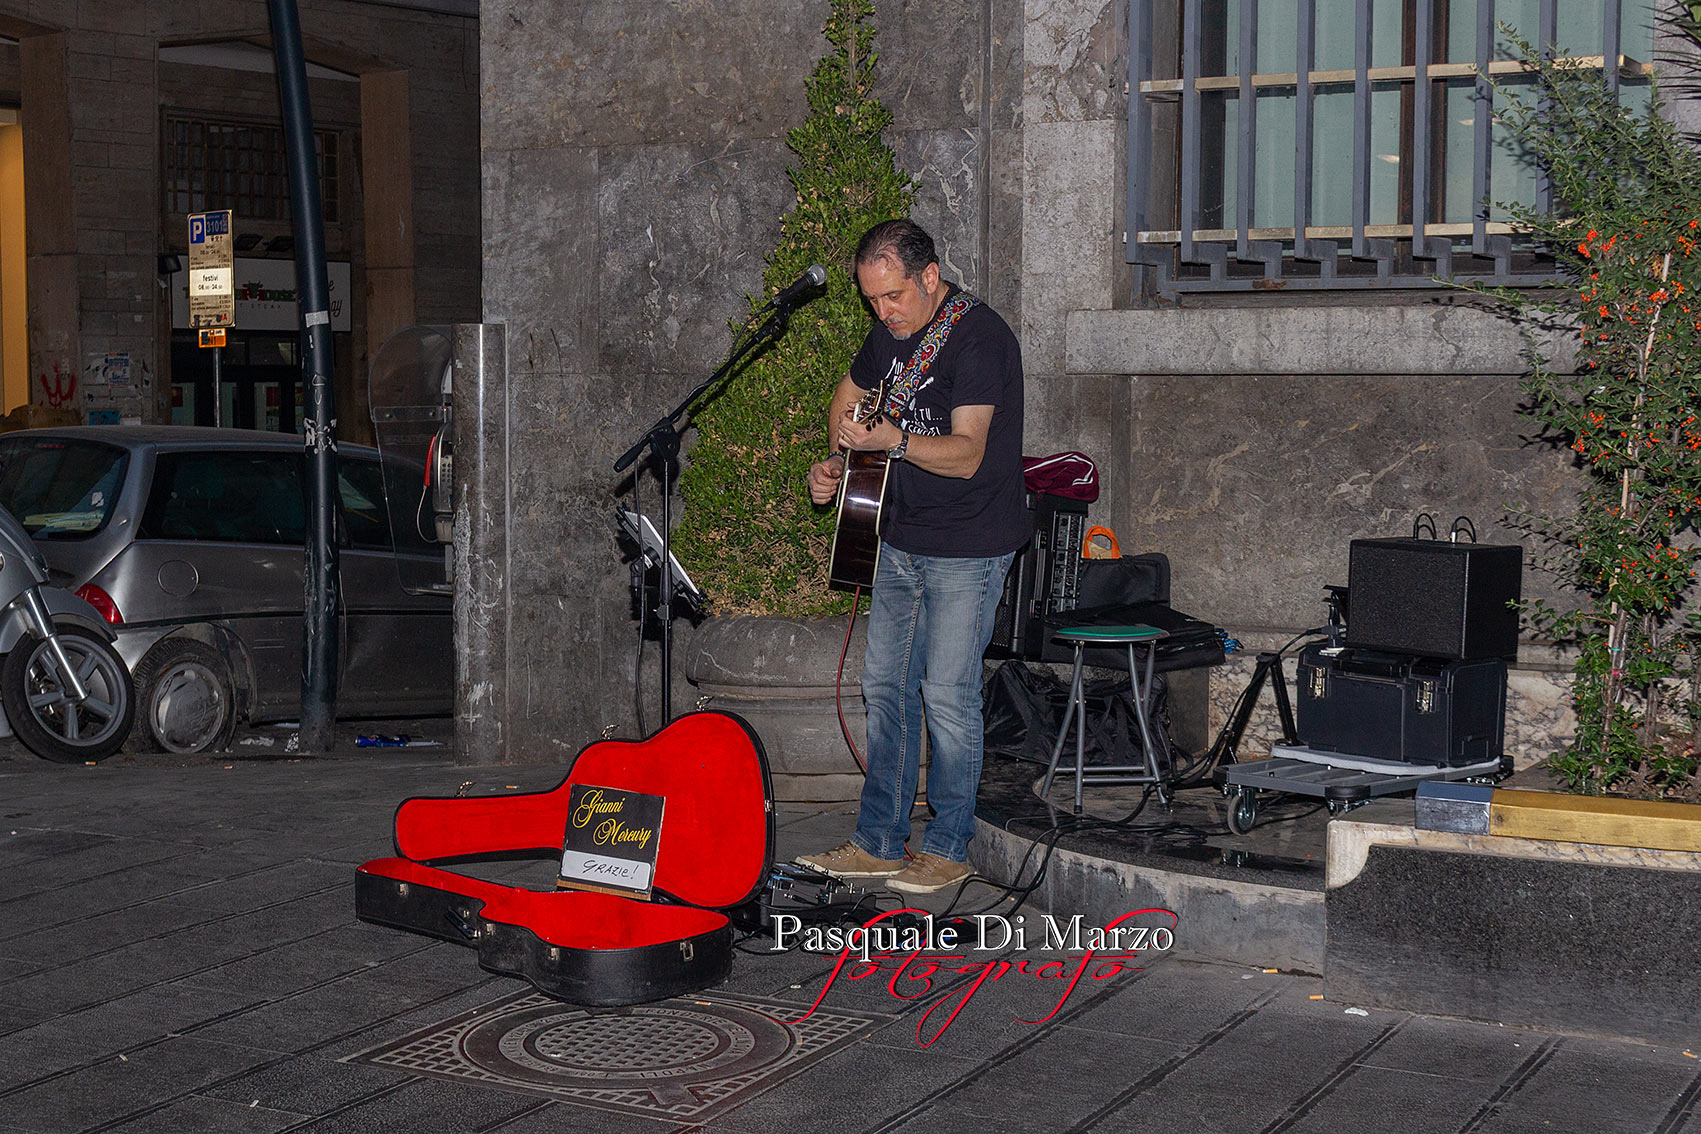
213,164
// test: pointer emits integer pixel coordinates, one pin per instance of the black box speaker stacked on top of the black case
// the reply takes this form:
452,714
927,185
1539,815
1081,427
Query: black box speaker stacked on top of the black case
1435,599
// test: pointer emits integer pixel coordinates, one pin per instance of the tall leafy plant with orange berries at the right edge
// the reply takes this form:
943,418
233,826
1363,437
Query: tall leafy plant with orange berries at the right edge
1625,225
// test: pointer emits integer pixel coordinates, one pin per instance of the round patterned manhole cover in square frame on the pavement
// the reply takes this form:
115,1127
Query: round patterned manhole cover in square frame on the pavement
685,1058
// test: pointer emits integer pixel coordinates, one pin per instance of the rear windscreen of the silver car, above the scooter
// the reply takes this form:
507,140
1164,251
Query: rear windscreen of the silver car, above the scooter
60,489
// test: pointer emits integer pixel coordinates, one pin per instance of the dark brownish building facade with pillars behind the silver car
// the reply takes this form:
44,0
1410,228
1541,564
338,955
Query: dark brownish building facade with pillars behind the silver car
96,86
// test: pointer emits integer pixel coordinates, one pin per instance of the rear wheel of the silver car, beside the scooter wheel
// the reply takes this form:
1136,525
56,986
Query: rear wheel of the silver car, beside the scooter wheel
188,700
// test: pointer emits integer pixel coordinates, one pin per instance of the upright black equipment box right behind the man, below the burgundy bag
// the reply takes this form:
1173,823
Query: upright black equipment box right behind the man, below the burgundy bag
1045,577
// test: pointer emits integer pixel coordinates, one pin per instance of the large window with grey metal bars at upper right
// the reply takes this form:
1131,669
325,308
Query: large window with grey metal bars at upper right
1346,144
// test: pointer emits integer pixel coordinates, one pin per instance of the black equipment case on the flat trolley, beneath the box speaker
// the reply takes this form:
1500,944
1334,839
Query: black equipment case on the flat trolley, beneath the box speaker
1423,712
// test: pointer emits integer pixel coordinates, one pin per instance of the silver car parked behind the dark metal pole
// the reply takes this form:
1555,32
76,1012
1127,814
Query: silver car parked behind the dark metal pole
190,545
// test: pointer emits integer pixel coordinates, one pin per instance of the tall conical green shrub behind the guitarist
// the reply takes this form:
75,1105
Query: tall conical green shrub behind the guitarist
751,536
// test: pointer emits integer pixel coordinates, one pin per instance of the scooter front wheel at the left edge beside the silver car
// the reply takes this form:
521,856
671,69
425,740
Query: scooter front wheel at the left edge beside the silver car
43,713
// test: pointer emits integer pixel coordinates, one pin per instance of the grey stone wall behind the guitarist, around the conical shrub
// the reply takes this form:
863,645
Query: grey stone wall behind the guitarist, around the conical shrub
634,178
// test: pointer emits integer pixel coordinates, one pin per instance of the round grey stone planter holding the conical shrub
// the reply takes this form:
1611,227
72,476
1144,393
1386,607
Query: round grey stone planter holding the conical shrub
778,674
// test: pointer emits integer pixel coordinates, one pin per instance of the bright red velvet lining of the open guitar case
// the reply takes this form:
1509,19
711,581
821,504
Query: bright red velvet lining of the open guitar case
714,846
